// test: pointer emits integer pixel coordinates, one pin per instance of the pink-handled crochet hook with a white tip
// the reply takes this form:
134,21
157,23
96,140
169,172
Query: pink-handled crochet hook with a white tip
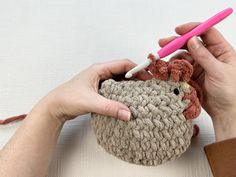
182,40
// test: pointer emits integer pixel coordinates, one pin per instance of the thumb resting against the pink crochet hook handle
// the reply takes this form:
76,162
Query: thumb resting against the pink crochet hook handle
202,55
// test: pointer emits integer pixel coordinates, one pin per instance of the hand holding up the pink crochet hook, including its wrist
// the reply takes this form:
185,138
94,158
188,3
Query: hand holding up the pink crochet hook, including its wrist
214,62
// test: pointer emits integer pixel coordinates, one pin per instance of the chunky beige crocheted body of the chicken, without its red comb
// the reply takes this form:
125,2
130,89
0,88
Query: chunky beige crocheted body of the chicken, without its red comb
157,132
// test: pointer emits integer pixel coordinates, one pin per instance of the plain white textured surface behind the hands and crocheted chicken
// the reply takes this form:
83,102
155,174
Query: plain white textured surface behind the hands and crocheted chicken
45,42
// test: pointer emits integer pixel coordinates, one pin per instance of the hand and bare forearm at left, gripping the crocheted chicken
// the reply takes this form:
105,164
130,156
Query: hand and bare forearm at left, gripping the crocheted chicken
30,150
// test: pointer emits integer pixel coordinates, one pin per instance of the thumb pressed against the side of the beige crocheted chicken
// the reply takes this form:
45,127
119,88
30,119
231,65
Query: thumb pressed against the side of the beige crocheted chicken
102,105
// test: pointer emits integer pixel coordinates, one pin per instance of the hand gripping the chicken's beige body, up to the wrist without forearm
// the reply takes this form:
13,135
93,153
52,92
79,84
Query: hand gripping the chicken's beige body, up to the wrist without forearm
80,94
